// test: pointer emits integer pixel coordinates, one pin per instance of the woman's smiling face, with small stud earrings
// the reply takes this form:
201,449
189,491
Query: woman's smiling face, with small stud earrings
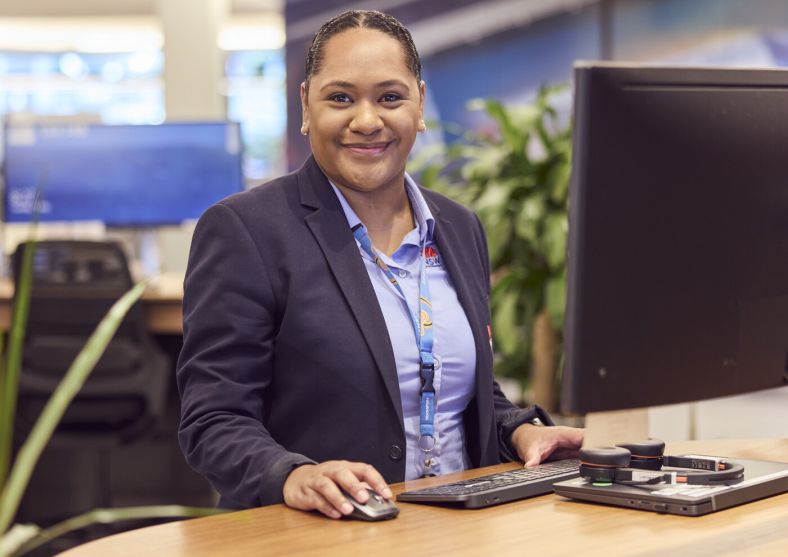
363,110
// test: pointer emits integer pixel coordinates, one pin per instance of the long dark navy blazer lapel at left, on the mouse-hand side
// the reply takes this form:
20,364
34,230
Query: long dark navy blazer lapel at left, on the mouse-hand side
331,231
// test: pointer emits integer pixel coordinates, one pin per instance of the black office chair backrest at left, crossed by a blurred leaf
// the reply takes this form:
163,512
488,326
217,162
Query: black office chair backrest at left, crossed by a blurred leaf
74,283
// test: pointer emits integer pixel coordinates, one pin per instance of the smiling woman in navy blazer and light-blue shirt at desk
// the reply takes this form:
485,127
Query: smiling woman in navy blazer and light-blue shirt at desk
336,320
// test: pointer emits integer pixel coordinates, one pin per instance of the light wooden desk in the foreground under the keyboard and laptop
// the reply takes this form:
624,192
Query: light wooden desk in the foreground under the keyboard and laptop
544,526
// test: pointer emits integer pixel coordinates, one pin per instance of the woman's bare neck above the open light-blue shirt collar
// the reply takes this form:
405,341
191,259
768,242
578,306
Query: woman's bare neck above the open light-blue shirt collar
386,214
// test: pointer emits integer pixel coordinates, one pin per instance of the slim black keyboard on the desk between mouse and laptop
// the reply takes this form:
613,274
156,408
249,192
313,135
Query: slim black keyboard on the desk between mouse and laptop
497,488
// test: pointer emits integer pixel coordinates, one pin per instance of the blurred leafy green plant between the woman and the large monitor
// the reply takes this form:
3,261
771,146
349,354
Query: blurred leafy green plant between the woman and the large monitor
516,178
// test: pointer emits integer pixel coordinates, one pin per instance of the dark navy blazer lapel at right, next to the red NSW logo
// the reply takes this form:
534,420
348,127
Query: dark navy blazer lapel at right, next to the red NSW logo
452,250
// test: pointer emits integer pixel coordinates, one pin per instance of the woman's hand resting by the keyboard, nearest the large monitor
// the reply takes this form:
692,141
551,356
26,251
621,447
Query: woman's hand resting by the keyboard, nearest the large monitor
534,444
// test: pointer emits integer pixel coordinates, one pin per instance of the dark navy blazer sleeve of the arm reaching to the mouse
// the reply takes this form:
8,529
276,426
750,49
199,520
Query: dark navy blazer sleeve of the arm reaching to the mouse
225,366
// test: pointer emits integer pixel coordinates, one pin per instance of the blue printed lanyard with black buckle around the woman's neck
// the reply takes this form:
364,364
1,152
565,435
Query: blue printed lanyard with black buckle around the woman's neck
422,327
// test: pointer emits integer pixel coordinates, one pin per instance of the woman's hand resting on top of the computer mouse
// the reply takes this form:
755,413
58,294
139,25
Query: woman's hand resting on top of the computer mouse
316,486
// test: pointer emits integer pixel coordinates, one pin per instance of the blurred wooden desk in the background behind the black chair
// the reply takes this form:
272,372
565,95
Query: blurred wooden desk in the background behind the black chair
162,304
